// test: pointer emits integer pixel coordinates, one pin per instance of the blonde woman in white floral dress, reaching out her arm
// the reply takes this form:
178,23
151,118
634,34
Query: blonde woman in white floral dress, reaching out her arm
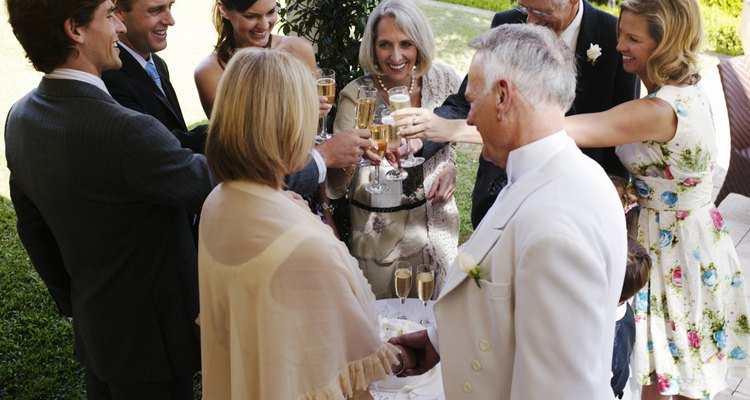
691,319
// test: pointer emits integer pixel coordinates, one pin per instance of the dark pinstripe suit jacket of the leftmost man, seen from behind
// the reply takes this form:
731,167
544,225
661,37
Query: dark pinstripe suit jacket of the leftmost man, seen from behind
100,193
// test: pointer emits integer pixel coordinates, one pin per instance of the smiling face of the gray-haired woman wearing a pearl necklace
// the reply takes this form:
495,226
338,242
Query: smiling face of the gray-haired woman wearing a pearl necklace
396,53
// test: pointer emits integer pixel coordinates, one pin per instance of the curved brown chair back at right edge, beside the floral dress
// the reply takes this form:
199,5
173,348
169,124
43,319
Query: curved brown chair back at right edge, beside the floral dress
735,79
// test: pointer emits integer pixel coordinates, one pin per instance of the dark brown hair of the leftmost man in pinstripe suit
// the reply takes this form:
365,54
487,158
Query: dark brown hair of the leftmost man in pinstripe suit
39,27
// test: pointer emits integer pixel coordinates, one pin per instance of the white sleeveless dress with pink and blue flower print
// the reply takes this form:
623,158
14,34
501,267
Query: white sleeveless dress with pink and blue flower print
691,318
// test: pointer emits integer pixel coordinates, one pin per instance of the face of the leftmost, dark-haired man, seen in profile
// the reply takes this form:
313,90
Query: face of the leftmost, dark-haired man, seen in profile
97,48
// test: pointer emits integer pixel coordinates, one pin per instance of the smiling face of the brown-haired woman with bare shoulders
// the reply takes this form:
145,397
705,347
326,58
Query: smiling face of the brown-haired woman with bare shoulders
253,26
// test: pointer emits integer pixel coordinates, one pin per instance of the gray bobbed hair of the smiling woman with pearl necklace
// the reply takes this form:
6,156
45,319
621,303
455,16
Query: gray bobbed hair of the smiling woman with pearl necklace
410,19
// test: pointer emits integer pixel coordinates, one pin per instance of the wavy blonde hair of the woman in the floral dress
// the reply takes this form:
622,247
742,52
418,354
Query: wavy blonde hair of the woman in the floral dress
676,27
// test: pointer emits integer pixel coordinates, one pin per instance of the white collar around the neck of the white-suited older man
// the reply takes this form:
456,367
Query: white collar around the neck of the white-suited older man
533,155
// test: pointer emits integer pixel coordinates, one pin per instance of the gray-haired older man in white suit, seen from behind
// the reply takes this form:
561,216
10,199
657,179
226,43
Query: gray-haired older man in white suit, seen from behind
529,311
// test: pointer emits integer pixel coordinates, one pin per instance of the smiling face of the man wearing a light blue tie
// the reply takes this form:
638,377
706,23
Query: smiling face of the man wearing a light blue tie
147,24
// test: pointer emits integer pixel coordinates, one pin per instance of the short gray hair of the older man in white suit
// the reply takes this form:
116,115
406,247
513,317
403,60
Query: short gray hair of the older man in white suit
533,58
